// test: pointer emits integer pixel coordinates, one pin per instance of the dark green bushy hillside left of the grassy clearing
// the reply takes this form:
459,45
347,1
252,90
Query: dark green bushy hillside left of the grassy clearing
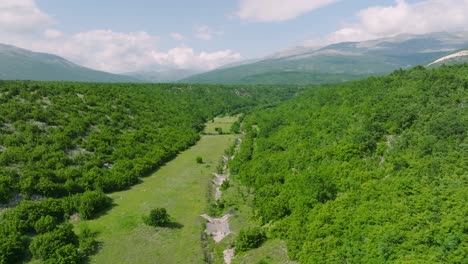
63,145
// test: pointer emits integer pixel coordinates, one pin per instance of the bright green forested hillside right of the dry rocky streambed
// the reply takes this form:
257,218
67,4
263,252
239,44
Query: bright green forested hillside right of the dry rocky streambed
373,171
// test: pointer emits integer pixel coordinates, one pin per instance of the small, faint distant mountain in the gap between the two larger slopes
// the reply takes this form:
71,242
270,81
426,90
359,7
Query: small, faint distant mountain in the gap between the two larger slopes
164,75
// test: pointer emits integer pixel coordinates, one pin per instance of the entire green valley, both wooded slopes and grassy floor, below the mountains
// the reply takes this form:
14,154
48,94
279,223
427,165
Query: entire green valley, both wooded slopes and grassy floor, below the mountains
370,171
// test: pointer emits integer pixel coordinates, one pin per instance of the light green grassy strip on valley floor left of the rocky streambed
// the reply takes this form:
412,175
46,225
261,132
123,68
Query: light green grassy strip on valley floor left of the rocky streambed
180,187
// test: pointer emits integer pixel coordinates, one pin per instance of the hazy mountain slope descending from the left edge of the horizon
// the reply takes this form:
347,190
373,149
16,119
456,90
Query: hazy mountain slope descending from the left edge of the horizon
21,64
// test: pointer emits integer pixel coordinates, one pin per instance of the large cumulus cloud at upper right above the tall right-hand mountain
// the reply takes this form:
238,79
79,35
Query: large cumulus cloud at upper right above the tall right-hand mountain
403,17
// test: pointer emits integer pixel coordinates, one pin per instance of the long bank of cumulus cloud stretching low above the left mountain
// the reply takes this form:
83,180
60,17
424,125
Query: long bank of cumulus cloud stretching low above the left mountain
121,52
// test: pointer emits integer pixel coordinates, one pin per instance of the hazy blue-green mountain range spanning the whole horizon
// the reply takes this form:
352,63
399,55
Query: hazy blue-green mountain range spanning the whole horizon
299,65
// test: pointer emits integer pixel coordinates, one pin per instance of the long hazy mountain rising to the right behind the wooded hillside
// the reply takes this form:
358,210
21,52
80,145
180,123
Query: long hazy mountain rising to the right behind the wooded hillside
339,62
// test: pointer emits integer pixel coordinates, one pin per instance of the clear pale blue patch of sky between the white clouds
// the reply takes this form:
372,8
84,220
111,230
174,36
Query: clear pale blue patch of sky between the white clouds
161,18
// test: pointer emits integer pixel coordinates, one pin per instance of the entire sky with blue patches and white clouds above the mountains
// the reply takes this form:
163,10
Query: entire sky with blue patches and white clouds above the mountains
126,36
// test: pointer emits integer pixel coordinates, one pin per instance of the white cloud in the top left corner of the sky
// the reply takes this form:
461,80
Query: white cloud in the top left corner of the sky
18,16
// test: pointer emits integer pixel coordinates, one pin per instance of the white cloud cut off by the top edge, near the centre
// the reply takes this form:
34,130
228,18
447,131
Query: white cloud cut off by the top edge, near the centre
277,10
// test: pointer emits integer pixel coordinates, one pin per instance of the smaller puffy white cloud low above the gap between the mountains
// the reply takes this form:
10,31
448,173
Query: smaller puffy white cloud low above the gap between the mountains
184,57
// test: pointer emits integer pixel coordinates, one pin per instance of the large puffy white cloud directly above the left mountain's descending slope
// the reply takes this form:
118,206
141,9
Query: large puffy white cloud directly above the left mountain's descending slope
100,49
